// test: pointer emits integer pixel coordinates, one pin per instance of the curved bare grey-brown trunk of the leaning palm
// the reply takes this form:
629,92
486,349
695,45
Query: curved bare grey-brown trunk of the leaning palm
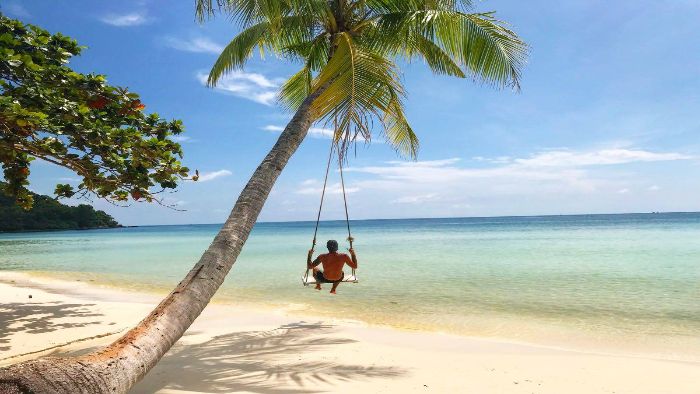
117,367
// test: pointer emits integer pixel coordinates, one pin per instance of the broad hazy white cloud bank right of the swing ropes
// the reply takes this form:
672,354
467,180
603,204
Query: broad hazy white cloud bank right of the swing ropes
445,185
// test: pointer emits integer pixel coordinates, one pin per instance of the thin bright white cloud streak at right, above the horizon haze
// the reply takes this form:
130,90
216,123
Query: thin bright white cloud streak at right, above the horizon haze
563,158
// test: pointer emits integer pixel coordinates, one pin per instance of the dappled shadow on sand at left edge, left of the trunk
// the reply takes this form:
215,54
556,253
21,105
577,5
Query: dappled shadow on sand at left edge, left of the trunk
40,317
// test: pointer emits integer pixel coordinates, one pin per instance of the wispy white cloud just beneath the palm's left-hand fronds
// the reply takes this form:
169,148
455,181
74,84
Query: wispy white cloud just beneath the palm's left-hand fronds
251,86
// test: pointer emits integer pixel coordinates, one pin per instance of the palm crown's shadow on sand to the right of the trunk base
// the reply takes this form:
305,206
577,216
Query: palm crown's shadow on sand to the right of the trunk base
259,362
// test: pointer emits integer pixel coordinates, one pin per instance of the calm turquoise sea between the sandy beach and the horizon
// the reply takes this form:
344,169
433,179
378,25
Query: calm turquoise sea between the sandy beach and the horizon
629,282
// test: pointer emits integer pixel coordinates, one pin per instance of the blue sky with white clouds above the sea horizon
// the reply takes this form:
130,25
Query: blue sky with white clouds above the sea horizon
607,119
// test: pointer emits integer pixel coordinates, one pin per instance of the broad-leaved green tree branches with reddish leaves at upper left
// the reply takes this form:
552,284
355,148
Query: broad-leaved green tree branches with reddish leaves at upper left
79,122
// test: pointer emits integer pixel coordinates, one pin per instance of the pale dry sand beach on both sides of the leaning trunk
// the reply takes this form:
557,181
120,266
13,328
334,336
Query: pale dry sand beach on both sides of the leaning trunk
232,349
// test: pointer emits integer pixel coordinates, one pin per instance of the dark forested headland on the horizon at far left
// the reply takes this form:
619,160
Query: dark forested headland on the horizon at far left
49,214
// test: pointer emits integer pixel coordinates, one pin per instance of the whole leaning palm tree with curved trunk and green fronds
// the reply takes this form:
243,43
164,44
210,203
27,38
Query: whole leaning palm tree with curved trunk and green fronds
347,51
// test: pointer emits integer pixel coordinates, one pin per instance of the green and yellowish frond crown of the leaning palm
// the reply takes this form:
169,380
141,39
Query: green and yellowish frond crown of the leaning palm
347,48
